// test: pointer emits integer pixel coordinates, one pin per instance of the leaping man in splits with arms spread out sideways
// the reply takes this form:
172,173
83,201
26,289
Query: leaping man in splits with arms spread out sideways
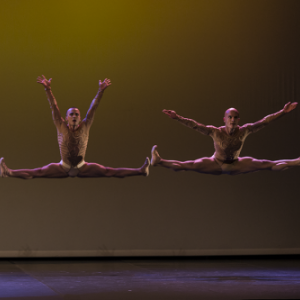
228,143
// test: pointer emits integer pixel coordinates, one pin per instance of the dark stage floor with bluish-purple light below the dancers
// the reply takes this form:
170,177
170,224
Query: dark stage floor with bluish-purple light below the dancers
147,278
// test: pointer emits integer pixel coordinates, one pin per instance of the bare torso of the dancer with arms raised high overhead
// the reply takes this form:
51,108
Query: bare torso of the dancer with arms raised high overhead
72,144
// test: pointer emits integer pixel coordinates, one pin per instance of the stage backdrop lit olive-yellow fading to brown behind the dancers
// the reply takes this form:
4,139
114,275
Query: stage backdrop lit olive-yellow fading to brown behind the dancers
195,57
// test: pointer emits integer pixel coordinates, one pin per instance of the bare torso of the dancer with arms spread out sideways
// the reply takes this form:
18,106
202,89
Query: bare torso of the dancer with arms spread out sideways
228,147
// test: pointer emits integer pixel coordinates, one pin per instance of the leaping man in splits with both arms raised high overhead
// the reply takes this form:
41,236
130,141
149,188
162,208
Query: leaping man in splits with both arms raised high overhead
72,135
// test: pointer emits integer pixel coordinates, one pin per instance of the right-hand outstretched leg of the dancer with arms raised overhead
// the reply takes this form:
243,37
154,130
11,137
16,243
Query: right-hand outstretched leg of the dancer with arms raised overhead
96,170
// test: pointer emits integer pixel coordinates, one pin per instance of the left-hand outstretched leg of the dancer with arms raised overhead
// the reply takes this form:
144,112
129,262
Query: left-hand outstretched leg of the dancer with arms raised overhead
50,171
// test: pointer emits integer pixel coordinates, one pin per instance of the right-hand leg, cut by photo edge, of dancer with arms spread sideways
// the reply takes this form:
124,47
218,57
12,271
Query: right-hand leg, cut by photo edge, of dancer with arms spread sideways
249,164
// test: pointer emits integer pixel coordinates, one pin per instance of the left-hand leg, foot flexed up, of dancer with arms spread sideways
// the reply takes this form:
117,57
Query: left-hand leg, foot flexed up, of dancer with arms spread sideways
205,165
